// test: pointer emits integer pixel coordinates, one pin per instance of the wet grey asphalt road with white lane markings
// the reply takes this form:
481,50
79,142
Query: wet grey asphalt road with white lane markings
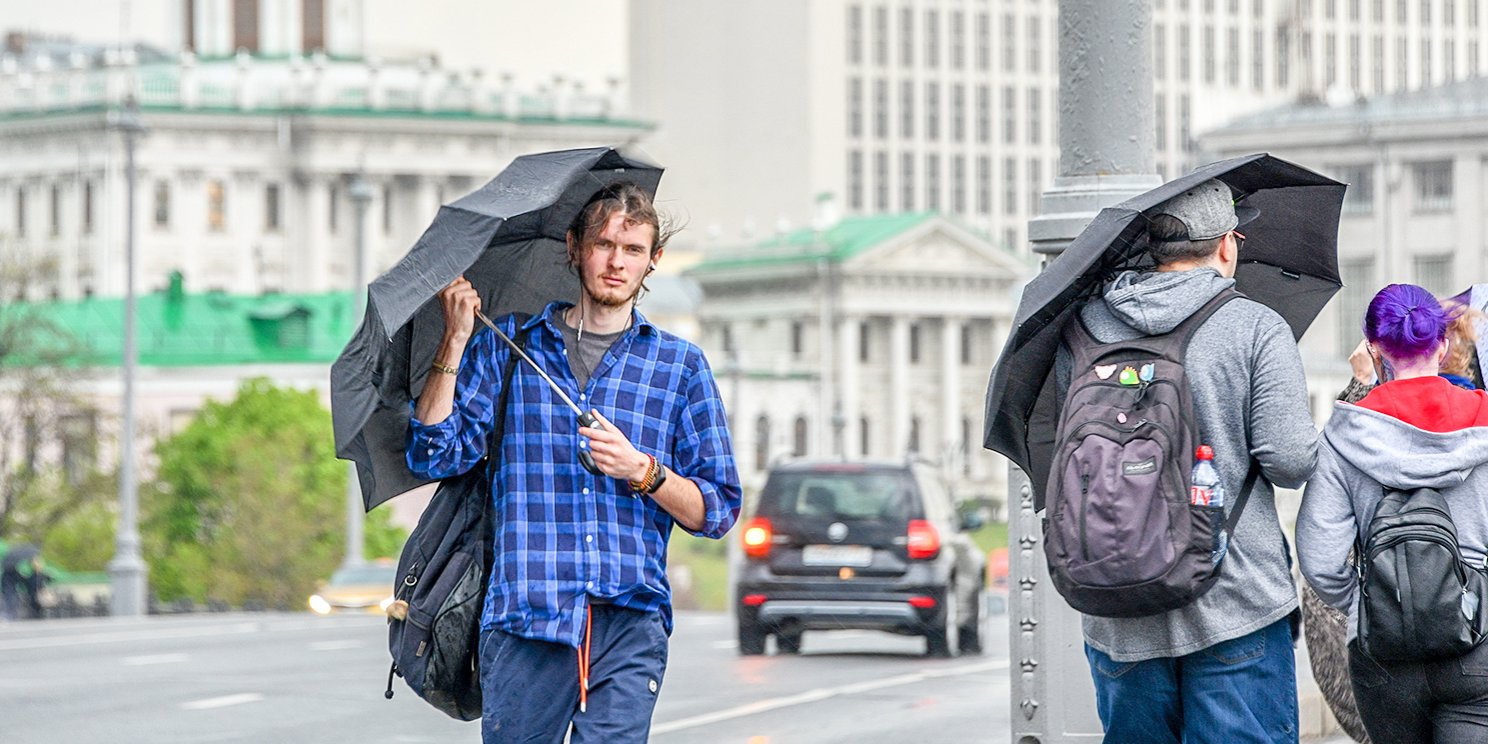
304,679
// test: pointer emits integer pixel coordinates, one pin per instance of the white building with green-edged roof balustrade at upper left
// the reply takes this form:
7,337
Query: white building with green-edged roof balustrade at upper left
248,169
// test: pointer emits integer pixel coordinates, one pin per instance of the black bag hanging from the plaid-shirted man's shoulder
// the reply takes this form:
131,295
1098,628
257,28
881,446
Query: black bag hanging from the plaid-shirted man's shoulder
443,575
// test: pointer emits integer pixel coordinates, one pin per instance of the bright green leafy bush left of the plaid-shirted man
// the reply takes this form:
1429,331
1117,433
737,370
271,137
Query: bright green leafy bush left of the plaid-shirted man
249,502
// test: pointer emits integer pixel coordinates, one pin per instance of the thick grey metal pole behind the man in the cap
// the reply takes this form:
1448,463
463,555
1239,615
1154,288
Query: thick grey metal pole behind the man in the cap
1106,155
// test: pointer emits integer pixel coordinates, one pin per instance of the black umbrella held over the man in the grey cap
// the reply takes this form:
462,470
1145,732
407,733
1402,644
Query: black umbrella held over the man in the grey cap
1289,264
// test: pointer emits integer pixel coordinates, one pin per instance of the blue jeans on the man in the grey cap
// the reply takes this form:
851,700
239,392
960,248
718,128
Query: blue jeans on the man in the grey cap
1242,691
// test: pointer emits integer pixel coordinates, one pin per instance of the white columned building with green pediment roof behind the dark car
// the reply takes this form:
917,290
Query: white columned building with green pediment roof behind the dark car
867,339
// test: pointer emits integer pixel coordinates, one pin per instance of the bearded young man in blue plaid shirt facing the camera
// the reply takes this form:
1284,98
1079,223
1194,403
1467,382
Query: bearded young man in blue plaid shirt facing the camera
580,611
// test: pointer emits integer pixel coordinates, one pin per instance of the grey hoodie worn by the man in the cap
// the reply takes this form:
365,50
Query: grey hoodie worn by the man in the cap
1251,400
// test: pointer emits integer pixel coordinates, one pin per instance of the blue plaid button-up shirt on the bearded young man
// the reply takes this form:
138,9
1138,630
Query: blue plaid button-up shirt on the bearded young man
565,536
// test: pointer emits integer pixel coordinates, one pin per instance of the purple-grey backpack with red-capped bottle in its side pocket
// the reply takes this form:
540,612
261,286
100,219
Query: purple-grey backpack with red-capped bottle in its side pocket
1121,536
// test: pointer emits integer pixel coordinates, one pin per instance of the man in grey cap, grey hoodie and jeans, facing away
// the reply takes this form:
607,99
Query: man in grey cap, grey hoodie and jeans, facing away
1221,669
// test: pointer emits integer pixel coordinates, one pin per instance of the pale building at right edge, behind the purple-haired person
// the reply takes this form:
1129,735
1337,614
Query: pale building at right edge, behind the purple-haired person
1417,205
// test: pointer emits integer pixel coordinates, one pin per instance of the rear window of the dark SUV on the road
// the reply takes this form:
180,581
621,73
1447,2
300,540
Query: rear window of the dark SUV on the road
861,496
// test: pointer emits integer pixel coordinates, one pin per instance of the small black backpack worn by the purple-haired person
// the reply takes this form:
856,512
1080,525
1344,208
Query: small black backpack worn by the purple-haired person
1419,599
